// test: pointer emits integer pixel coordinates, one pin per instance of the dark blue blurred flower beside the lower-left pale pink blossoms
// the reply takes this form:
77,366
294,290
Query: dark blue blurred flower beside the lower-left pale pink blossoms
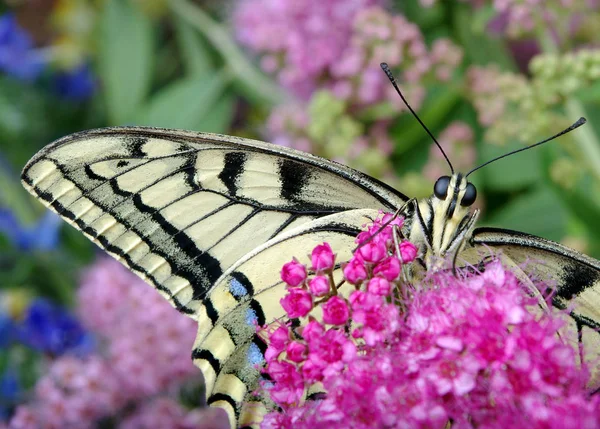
51,329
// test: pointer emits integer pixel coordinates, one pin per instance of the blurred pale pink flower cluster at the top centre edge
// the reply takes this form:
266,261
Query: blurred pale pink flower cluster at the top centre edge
300,40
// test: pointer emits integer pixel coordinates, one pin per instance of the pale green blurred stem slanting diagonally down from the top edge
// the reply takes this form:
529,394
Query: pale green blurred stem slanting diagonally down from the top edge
253,79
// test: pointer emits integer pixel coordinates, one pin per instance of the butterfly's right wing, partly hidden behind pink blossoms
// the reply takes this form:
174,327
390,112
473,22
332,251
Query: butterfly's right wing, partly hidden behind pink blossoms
577,278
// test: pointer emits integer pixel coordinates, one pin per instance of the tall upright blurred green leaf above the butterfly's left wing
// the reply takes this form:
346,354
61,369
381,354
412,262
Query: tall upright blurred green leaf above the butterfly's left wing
125,56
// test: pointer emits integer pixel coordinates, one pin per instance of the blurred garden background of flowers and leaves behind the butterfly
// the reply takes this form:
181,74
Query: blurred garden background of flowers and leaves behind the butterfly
79,342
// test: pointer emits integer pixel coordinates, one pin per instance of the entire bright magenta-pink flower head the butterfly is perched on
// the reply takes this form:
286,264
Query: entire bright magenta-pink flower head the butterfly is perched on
462,349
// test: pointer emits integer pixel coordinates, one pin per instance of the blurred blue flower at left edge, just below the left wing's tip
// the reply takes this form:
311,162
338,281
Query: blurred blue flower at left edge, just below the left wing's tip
42,236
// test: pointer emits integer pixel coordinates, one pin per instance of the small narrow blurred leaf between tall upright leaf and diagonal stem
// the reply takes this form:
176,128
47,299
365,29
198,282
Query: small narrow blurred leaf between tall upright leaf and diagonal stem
194,50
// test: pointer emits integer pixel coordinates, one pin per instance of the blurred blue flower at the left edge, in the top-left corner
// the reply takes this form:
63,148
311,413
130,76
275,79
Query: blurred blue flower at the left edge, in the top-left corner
18,57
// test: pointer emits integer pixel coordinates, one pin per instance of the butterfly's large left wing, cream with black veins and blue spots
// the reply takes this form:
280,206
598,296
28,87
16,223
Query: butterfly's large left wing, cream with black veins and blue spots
208,220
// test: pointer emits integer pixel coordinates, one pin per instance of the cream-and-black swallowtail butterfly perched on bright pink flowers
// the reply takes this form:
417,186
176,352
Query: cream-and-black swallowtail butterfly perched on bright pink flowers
209,220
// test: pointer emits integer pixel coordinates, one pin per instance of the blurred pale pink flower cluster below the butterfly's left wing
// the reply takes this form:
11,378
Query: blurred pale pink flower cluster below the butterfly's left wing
146,344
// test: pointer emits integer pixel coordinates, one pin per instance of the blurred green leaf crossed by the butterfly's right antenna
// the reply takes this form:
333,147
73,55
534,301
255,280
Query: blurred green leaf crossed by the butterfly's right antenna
513,172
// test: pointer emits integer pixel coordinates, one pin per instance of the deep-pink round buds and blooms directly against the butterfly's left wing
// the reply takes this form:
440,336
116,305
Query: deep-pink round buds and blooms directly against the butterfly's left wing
348,325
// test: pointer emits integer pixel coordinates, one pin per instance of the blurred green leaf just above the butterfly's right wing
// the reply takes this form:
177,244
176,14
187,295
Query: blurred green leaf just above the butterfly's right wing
539,212
